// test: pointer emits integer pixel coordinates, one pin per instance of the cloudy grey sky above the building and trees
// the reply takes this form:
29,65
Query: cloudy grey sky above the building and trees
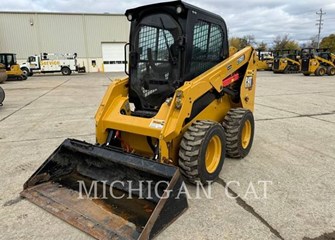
261,18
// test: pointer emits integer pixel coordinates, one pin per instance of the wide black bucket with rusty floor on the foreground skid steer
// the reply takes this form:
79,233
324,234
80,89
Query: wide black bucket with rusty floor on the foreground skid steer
107,193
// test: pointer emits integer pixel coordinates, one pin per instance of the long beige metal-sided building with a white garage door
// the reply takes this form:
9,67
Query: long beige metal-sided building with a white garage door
98,39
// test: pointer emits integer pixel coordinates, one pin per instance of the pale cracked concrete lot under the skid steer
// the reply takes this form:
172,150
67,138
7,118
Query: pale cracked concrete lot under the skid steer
293,152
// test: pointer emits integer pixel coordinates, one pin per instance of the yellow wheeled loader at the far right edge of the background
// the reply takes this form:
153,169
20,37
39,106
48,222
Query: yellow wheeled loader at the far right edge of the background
317,61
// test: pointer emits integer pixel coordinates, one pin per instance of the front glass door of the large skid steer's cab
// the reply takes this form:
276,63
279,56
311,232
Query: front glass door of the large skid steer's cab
156,71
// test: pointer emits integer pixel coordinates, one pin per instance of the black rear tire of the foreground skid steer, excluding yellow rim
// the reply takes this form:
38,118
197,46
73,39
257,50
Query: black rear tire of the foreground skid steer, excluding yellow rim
233,124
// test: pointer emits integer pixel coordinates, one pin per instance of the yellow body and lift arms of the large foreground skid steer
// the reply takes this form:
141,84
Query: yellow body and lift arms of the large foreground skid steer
168,126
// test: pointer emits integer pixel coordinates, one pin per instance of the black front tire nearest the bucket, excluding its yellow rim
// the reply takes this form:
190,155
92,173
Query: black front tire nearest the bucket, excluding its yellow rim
193,148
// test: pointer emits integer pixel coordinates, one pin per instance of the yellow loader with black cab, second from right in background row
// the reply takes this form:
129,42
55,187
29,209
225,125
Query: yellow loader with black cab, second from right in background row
286,61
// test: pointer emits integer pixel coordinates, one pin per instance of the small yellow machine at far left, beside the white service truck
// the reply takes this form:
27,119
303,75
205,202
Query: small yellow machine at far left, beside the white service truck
12,68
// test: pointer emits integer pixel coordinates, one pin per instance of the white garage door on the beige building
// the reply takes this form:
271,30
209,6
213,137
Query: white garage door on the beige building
113,57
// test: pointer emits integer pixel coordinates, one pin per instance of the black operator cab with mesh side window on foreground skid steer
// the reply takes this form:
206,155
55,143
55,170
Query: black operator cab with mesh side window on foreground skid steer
171,43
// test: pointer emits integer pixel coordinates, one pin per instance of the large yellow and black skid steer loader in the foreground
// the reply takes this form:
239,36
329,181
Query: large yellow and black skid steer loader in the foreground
185,106
